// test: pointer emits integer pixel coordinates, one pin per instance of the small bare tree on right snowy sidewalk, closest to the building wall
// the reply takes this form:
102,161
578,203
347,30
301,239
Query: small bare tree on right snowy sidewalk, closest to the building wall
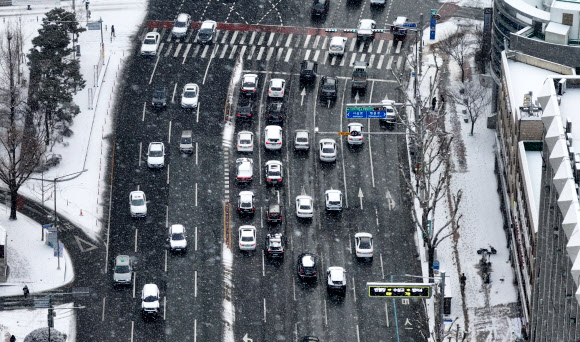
474,98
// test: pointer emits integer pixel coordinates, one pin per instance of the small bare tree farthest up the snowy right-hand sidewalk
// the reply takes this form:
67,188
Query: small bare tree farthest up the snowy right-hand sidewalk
458,46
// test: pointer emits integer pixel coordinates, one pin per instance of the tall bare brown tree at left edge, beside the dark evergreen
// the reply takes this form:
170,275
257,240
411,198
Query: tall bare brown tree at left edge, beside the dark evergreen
21,148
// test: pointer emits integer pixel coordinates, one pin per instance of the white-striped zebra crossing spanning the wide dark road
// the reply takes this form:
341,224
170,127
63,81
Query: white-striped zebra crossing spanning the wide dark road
281,47
